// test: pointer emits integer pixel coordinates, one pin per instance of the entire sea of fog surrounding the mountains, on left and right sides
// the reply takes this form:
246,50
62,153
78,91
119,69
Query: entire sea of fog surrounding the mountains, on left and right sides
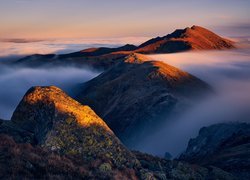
228,72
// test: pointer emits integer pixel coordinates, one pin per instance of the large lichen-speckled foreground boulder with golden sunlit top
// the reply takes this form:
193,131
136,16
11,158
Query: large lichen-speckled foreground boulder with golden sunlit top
61,124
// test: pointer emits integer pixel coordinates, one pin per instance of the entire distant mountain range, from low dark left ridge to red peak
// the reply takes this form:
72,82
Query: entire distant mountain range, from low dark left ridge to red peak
194,38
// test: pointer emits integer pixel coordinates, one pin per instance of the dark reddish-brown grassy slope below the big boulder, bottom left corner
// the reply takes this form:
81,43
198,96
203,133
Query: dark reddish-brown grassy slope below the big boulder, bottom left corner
24,161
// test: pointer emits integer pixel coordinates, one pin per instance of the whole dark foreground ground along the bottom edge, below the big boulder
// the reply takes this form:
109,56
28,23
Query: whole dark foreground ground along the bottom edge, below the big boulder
24,161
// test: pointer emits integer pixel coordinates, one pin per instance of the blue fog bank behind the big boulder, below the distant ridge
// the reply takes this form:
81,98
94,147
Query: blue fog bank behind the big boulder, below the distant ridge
15,82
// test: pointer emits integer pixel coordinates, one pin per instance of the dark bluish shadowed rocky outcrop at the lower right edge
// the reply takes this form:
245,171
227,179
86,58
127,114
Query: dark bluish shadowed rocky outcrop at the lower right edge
226,146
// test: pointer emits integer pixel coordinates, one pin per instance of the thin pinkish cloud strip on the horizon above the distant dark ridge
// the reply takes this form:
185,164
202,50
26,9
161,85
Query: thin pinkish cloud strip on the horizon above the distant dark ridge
21,47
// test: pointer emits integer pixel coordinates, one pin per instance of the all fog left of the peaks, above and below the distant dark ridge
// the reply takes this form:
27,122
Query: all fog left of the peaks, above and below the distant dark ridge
15,82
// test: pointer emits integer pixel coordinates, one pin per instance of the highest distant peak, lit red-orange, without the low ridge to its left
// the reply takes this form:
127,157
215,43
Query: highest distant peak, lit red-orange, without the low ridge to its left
194,38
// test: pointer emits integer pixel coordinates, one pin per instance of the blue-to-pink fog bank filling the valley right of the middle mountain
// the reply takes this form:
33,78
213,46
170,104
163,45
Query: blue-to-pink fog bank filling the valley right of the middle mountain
228,72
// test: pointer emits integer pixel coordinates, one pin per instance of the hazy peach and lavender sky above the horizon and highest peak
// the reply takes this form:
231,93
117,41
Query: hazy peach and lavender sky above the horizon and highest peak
117,18
